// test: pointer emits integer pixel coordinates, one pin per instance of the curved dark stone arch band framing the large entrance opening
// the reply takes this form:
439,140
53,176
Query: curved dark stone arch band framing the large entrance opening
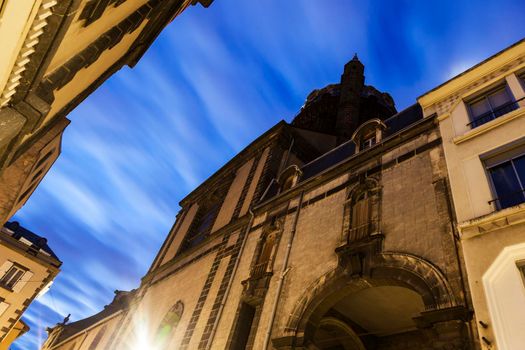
383,269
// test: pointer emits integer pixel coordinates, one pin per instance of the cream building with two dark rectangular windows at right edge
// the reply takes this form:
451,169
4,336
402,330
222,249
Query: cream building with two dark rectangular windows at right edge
481,115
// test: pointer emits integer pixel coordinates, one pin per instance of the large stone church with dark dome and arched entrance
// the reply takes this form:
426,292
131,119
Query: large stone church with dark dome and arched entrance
335,231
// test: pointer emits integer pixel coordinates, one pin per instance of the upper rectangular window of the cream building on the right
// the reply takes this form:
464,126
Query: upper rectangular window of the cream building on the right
491,105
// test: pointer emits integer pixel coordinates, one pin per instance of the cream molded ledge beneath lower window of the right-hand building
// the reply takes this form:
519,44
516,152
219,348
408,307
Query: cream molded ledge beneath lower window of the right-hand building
491,222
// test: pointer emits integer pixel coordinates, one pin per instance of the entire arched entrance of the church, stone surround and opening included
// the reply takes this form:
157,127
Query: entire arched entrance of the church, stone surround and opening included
376,301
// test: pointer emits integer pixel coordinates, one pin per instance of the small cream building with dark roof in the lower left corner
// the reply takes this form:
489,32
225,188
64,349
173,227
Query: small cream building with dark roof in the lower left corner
27,269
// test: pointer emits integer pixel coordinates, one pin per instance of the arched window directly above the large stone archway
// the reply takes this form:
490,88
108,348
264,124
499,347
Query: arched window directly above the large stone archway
361,217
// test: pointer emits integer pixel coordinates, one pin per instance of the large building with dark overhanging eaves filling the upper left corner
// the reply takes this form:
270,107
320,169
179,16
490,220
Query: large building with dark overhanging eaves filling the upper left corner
54,54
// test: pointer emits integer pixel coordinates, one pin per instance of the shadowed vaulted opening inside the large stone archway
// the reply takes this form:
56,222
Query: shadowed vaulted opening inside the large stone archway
369,318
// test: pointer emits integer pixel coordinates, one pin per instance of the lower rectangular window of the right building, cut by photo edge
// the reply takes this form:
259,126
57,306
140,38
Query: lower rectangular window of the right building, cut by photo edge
507,174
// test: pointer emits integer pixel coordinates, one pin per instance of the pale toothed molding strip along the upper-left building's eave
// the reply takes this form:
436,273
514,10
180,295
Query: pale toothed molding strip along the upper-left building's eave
28,48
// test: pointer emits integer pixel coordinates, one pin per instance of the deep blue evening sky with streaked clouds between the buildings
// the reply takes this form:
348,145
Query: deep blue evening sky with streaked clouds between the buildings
213,81
